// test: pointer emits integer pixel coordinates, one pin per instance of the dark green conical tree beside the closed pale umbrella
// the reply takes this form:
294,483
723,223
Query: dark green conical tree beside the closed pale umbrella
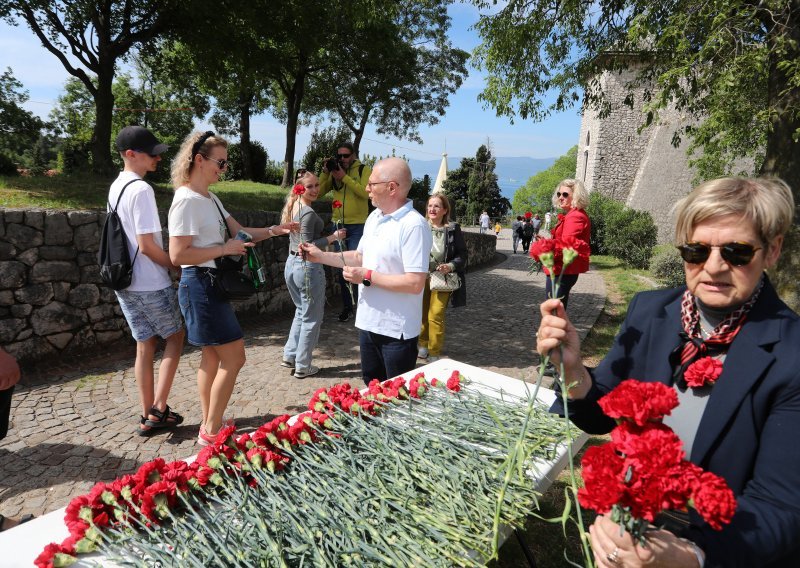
473,188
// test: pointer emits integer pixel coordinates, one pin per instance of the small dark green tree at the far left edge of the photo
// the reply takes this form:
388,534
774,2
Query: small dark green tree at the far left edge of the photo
19,128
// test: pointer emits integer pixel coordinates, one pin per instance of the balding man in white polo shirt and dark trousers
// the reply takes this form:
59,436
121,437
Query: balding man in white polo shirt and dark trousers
391,267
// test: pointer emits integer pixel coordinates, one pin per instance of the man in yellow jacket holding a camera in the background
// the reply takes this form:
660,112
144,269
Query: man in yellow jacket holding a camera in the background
347,178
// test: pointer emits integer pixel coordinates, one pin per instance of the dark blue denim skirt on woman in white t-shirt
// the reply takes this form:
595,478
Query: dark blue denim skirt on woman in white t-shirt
210,320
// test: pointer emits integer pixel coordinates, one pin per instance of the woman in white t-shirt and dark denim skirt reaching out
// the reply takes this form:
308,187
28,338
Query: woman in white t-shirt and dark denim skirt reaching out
198,237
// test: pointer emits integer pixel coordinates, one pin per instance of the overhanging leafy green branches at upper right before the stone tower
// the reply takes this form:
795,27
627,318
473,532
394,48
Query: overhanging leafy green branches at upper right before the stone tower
732,65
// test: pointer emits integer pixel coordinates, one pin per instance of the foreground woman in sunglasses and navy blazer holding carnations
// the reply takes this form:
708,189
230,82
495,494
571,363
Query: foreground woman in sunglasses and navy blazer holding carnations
738,421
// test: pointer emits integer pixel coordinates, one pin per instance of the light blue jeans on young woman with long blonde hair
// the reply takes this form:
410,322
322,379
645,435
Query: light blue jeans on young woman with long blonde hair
309,301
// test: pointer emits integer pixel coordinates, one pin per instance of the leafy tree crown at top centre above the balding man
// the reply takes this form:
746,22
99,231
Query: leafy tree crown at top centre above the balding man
398,69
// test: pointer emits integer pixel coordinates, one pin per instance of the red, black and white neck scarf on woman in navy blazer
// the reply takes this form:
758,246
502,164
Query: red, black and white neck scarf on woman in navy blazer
693,346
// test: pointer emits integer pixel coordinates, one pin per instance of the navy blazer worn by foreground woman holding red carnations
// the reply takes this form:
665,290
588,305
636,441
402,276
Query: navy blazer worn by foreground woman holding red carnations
747,432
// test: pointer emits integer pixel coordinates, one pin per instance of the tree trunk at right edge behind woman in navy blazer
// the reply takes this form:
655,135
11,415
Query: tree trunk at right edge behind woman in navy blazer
782,158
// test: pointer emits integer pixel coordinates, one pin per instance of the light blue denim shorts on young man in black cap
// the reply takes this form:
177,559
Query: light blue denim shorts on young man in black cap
151,313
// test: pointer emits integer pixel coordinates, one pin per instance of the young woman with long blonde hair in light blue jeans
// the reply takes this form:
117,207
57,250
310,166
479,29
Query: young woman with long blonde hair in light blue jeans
305,280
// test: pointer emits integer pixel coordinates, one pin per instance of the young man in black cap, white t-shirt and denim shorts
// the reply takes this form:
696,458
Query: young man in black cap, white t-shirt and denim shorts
150,303
